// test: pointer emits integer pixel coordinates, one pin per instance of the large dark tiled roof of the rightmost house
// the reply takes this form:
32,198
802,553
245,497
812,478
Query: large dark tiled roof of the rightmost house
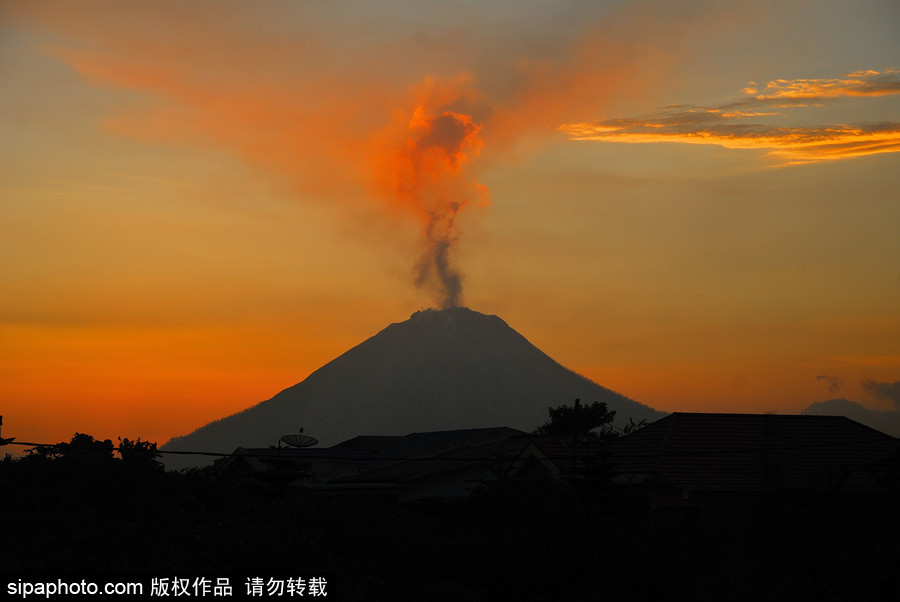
755,452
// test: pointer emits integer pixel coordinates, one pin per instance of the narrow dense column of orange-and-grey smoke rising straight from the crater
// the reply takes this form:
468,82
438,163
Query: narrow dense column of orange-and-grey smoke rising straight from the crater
430,179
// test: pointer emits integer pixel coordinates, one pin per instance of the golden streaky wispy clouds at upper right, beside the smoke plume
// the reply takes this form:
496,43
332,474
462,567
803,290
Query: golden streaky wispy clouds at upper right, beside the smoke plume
735,125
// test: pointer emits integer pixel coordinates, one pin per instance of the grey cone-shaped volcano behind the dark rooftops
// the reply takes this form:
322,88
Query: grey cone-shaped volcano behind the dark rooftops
439,370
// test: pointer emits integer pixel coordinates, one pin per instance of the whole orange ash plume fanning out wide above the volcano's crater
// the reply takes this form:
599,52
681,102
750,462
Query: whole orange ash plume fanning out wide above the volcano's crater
335,109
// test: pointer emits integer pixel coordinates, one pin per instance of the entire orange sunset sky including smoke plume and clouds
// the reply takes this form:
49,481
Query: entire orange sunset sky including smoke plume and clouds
695,204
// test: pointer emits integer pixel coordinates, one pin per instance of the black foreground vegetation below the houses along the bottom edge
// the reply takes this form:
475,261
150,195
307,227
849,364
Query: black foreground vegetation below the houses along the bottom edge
528,541
